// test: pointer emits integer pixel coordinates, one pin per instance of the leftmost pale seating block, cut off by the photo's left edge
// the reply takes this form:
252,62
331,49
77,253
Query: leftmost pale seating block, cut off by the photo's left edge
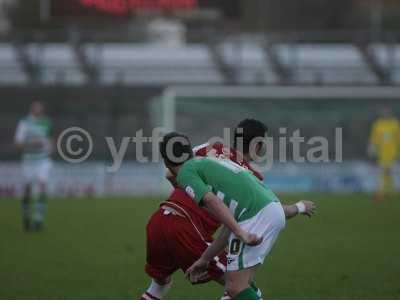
11,71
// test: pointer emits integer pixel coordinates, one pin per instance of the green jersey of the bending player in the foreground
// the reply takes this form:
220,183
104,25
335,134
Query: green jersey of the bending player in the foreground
241,191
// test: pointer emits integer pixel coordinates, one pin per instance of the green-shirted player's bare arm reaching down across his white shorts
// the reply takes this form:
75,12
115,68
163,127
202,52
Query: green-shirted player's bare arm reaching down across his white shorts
224,215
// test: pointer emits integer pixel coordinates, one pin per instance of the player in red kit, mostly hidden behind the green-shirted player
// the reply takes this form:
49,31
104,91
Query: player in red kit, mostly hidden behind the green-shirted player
180,231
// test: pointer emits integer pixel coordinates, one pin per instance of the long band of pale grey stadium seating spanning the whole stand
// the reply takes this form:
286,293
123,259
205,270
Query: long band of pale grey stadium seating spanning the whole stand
243,60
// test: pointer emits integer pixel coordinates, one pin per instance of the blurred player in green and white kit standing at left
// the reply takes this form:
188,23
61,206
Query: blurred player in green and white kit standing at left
33,139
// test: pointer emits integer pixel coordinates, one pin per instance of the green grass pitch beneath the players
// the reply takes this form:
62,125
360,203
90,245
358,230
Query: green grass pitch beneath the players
93,249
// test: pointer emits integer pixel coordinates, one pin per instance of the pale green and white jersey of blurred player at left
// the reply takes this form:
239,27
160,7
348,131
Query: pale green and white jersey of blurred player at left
29,129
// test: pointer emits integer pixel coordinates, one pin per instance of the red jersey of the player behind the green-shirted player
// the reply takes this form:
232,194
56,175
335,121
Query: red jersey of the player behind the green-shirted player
183,203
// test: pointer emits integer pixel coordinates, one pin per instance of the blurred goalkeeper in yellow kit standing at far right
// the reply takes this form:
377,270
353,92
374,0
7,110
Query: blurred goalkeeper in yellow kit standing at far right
384,144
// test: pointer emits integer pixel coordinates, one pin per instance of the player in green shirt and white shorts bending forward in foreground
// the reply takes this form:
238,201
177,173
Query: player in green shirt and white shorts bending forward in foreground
250,212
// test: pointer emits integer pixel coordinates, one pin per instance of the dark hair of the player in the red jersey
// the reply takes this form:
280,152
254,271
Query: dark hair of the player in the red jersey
247,130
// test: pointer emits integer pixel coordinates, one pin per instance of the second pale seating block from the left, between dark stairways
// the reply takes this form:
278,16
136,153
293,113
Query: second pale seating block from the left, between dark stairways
57,62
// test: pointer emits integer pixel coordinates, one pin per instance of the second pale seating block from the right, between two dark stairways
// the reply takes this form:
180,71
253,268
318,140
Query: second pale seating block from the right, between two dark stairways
325,64
